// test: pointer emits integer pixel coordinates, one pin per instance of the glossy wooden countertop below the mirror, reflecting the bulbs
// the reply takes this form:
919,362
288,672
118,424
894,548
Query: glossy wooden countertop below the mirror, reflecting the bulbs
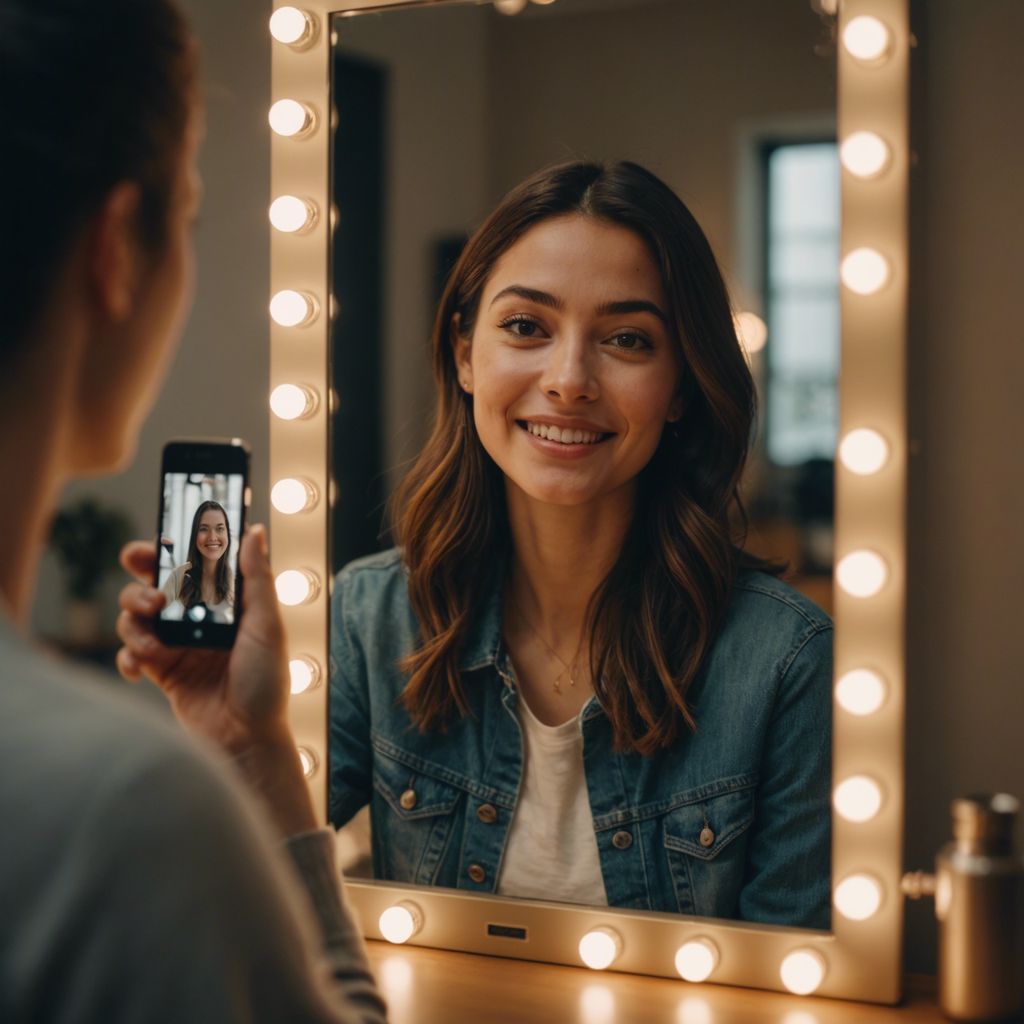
436,987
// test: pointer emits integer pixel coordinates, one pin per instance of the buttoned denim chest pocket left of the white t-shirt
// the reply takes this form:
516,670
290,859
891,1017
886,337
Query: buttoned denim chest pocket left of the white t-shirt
414,816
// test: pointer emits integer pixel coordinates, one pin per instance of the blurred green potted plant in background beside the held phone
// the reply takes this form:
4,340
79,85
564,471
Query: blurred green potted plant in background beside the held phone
88,538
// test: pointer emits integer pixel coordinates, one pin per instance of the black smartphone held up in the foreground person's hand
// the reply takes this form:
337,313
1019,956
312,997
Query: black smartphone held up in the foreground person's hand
204,498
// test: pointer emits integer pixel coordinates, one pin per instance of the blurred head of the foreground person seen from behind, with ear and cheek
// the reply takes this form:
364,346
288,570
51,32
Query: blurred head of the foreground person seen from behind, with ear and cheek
101,115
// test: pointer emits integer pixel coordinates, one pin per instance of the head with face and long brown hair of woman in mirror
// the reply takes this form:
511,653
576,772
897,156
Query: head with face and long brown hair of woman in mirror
585,354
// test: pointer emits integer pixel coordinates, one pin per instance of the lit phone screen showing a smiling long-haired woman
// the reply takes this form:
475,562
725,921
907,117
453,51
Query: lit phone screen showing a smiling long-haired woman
199,546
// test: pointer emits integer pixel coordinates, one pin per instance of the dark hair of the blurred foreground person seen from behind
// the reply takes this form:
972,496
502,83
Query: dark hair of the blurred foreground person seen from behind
91,95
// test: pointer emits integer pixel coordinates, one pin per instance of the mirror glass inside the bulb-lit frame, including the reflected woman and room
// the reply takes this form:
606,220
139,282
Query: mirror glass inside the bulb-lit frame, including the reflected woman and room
568,665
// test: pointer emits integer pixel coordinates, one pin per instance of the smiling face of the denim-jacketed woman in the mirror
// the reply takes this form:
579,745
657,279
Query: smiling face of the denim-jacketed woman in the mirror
573,366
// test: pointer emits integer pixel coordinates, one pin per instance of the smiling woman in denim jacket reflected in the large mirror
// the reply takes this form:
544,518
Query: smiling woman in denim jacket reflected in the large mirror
570,682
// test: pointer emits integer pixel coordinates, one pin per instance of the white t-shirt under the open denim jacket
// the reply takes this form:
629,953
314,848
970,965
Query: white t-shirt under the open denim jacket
551,851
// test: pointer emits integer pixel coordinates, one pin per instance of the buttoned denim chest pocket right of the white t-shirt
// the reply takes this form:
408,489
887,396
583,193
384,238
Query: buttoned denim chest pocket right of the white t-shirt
706,846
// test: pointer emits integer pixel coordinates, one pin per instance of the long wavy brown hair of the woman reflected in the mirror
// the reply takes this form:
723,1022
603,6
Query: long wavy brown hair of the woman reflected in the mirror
656,616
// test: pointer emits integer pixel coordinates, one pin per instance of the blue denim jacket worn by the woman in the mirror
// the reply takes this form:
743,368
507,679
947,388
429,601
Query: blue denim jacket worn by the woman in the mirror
733,822
